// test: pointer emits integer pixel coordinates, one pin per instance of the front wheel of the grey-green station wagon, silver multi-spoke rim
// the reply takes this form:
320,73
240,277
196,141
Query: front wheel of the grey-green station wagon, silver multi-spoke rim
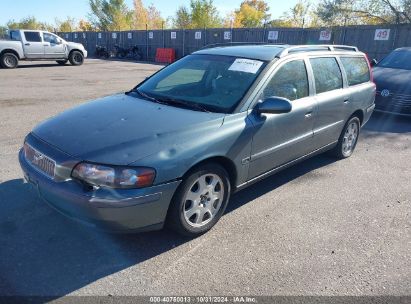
200,200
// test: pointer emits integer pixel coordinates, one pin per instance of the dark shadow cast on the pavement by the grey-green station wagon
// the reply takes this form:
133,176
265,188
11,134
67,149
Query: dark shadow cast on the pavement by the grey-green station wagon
44,253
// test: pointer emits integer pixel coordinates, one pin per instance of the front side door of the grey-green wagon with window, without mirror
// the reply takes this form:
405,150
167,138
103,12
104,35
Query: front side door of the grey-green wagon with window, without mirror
280,138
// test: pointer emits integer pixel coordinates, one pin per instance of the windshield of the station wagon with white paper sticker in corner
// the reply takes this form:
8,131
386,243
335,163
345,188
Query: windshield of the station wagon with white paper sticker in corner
208,82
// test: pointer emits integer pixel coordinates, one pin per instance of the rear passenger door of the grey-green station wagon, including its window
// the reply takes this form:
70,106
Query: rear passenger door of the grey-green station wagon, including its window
332,99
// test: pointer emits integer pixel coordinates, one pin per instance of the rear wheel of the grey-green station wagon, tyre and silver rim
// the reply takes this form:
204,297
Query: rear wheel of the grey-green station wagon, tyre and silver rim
348,139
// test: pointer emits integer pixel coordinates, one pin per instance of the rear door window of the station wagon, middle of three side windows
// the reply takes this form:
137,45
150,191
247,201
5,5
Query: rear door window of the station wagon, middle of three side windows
327,74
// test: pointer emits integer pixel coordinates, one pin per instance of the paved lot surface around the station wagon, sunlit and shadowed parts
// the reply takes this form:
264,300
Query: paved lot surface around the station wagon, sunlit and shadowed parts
323,227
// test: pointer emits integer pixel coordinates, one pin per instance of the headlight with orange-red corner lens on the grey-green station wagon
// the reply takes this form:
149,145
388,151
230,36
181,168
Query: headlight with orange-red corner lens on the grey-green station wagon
114,176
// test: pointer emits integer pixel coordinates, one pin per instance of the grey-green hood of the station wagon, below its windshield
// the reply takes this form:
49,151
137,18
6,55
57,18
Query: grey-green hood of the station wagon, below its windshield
121,129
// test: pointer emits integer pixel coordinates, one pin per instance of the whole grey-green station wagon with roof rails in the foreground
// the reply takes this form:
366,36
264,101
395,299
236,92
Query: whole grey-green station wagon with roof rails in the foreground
175,147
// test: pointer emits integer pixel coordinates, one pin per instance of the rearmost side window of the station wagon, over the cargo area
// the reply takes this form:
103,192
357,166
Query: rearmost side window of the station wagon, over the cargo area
356,69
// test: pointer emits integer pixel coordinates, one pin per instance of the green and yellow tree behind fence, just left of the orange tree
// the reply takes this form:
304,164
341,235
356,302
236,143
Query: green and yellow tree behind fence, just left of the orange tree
110,15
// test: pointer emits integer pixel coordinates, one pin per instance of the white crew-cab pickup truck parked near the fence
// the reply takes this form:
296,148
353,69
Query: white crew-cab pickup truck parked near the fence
39,45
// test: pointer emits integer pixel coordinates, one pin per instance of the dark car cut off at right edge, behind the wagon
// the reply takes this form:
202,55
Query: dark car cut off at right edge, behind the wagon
392,75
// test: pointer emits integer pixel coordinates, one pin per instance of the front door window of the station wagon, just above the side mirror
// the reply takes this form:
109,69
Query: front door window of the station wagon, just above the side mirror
290,81
